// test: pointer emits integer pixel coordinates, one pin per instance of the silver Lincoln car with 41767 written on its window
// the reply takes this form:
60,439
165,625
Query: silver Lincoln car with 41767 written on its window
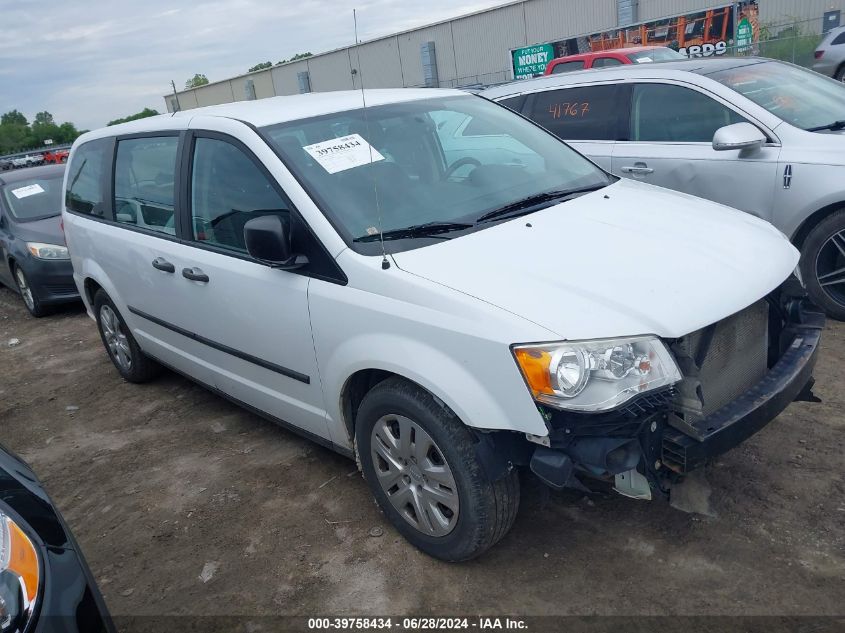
755,134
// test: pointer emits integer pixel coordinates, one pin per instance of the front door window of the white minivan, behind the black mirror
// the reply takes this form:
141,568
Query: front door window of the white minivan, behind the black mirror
227,190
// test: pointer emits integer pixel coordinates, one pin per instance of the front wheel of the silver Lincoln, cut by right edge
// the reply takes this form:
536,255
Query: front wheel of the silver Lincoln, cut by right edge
822,257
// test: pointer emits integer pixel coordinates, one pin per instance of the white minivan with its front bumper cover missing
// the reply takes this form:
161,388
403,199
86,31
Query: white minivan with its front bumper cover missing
449,314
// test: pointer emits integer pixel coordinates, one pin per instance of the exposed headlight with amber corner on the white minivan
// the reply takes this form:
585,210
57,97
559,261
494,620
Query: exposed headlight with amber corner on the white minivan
595,375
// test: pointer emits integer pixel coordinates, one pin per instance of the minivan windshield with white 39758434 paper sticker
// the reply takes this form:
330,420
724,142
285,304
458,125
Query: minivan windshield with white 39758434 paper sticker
440,167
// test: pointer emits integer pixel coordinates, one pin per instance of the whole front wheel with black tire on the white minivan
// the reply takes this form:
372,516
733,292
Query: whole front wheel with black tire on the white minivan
420,462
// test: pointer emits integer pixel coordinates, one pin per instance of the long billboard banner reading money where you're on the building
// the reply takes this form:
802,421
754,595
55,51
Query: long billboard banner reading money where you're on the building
705,33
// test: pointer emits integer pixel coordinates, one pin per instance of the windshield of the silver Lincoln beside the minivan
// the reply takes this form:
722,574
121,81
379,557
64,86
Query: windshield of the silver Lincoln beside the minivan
800,97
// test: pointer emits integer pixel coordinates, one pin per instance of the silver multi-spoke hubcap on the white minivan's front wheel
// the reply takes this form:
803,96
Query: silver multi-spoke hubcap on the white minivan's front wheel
414,475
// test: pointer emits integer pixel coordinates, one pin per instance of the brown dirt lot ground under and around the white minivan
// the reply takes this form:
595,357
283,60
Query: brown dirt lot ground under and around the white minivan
185,504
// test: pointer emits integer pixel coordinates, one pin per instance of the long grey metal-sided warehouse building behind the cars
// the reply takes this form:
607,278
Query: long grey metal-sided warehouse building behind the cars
516,39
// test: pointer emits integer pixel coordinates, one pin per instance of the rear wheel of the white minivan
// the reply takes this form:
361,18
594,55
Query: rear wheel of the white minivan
124,352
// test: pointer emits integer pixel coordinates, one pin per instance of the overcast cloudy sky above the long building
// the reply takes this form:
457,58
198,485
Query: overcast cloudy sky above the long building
90,61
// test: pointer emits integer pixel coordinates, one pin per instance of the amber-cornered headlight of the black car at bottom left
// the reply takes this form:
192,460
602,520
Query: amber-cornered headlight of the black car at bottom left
19,576
